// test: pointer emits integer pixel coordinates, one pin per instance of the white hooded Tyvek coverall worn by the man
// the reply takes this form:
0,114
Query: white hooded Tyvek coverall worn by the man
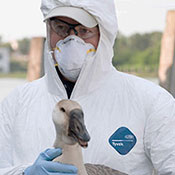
131,121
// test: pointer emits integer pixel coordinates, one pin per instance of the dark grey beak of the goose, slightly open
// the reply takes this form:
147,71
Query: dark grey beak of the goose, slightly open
77,128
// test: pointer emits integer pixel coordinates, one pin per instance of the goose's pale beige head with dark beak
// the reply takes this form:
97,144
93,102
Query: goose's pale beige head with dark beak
69,123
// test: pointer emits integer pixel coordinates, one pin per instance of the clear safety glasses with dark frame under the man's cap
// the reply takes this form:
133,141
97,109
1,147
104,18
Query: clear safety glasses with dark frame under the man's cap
63,29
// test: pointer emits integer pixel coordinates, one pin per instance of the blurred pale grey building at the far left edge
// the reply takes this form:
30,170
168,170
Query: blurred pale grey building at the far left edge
4,60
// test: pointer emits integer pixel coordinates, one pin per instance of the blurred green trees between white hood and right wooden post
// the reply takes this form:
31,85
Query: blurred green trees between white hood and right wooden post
137,53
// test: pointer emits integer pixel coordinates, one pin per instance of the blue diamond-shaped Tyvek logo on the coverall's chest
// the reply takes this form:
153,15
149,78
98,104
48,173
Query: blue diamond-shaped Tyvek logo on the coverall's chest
123,140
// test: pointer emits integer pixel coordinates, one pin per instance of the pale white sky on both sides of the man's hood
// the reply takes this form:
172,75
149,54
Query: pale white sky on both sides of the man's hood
22,18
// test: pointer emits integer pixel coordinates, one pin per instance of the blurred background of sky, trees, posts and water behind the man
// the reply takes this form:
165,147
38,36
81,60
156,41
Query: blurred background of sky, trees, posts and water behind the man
145,45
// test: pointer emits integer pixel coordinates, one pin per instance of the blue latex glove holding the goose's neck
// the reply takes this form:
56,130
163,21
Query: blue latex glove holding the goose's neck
45,166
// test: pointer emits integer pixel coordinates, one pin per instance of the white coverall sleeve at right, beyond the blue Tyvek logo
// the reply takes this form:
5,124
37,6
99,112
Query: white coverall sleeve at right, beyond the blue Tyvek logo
160,134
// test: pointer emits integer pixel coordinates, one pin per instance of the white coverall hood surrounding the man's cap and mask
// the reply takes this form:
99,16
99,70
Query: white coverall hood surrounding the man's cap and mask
94,69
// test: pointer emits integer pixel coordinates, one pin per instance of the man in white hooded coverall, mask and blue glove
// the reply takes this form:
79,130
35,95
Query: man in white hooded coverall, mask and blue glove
131,121
